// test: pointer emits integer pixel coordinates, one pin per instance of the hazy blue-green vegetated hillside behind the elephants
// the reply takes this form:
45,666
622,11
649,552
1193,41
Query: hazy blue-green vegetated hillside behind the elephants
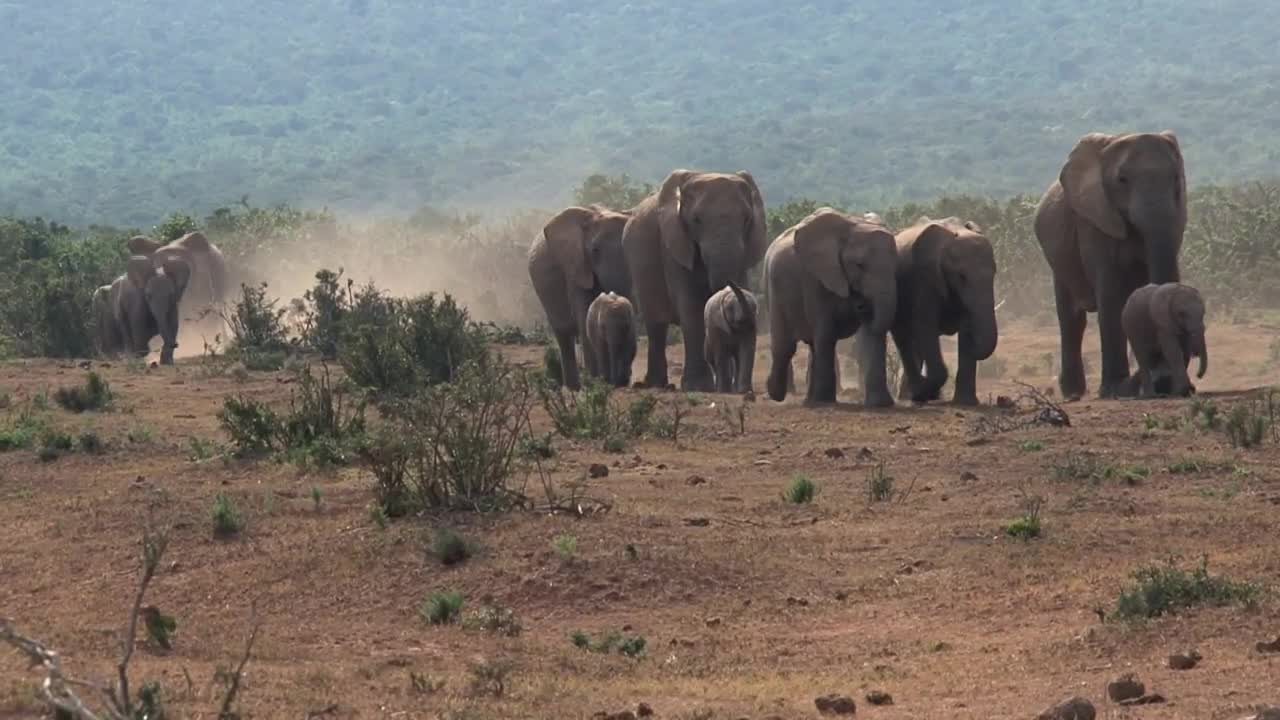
120,112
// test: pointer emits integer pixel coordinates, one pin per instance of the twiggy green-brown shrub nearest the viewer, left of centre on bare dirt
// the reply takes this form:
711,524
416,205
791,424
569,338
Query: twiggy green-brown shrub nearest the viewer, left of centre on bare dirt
454,445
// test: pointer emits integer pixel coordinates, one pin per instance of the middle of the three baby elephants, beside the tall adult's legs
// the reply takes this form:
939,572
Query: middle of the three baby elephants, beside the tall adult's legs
730,340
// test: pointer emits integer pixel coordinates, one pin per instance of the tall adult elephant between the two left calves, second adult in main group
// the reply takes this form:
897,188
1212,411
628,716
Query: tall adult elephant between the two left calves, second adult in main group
688,240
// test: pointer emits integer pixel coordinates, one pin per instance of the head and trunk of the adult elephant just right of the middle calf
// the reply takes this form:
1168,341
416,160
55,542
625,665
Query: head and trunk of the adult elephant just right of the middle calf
853,259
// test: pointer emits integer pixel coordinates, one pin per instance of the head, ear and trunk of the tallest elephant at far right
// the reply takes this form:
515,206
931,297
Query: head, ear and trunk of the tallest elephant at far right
1132,186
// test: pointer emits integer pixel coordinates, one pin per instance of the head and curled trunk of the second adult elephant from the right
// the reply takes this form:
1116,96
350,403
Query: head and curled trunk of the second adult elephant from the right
967,272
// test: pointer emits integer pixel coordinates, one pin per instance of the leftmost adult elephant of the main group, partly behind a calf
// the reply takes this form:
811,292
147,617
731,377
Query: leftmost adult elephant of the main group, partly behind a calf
578,257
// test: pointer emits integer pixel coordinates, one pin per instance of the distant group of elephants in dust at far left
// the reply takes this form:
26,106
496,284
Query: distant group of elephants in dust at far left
163,282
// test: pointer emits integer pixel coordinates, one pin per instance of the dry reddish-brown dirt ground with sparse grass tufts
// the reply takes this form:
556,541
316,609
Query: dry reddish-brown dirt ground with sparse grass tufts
751,608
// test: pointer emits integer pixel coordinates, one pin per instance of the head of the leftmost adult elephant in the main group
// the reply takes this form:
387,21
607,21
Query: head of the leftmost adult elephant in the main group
587,244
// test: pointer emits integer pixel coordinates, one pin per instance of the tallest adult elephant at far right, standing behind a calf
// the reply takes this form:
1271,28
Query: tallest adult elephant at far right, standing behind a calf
1112,224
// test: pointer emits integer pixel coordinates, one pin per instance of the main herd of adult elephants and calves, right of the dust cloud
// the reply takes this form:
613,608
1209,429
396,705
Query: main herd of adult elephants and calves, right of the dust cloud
1110,226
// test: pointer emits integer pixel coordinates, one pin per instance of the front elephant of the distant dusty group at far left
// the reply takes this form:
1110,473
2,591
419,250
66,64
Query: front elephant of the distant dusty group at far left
145,304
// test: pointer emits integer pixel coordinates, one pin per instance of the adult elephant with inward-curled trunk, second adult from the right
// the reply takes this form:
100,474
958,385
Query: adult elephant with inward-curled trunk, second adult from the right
947,275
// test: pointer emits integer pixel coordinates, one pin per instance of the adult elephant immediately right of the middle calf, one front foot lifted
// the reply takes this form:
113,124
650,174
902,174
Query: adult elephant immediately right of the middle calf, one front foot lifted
830,277
